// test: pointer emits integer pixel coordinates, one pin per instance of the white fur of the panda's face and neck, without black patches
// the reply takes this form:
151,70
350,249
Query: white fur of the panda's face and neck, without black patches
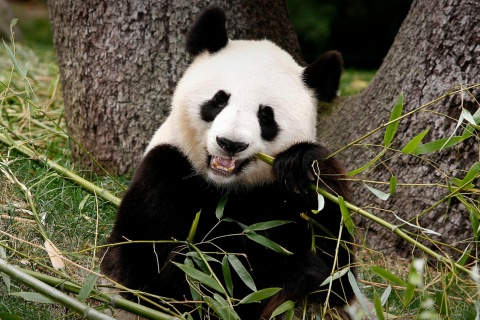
253,73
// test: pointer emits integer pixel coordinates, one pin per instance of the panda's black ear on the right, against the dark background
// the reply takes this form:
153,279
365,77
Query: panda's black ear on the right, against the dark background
324,74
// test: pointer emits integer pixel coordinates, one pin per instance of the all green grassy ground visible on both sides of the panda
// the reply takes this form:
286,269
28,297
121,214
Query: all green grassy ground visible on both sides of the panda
76,221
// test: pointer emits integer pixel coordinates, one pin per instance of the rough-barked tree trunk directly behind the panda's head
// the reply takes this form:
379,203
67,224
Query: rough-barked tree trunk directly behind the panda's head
120,60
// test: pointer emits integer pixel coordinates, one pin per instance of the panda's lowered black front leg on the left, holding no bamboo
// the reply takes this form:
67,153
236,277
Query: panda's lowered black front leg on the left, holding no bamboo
154,210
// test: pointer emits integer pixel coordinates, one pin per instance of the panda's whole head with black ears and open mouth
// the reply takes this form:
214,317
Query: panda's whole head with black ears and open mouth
238,98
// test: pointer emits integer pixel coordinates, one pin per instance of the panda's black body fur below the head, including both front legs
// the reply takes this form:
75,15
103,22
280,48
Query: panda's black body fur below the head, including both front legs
165,195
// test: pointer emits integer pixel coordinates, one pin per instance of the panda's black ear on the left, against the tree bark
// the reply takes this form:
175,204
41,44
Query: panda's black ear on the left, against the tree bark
208,32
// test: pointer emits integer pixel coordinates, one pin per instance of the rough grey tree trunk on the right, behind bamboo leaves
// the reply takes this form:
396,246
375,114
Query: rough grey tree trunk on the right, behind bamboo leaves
437,48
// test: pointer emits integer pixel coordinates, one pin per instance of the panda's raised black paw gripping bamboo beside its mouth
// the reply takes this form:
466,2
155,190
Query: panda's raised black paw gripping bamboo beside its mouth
296,168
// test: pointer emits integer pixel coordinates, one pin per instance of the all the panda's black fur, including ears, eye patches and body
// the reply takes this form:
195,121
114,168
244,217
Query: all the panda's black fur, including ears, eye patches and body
166,194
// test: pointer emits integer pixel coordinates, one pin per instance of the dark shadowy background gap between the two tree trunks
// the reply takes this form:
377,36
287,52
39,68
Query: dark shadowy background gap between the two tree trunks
363,30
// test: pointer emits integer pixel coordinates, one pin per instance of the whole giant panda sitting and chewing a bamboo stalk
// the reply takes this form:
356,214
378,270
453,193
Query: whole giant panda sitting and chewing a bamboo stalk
236,99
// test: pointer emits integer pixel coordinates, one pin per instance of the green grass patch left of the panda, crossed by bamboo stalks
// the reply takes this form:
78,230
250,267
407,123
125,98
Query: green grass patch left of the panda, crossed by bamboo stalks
71,214
